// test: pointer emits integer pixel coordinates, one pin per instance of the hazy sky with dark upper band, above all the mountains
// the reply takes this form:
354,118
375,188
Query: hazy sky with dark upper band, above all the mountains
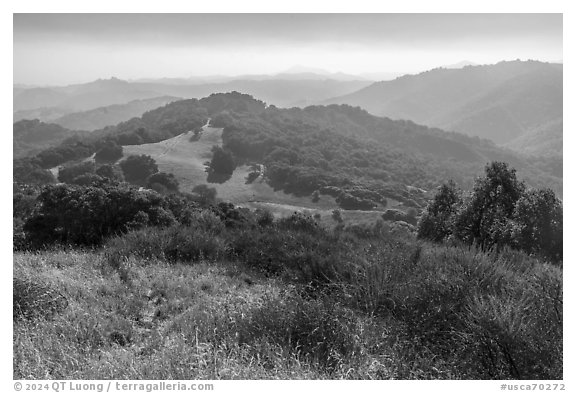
71,48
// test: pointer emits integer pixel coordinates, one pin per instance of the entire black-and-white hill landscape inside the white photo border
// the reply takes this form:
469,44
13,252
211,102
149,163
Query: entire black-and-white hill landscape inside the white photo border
288,196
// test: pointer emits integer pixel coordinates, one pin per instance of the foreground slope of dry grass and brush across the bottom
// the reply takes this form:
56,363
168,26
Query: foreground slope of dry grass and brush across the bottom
284,299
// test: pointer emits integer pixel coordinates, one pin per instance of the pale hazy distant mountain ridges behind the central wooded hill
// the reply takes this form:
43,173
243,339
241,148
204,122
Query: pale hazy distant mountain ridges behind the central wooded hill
281,90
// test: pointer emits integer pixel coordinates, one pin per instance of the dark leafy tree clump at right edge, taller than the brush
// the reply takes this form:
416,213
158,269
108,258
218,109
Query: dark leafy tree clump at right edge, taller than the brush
499,212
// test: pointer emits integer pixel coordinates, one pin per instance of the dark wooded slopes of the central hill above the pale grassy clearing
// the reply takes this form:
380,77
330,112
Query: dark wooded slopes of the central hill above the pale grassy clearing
310,149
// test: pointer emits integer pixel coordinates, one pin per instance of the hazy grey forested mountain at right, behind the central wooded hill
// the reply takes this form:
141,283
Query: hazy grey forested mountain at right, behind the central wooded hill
500,102
